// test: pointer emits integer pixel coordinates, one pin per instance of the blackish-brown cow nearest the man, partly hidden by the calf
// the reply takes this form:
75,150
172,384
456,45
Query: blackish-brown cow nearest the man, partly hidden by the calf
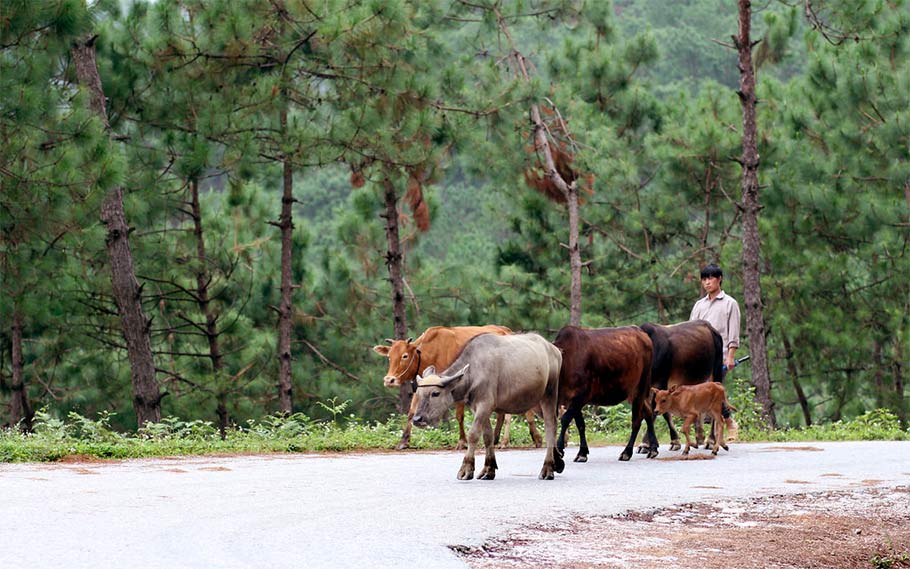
688,353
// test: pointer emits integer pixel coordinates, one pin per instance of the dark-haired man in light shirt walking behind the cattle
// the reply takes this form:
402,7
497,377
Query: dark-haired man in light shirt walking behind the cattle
721,311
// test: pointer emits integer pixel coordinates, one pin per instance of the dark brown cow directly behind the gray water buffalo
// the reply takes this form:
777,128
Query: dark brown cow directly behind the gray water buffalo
605,366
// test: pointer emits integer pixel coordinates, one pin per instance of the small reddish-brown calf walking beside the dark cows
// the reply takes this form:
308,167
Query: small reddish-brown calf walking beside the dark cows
691,402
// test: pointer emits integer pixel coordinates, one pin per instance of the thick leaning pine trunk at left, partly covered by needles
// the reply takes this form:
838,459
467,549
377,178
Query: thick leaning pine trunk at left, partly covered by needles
135,324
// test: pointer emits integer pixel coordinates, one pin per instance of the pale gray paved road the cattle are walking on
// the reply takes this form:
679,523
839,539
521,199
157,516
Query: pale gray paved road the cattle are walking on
375,510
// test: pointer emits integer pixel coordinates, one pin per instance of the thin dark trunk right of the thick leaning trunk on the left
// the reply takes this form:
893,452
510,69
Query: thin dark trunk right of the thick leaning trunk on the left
205,305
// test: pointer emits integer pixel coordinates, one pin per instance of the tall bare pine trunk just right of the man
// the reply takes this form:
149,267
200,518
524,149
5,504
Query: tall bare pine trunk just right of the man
755,324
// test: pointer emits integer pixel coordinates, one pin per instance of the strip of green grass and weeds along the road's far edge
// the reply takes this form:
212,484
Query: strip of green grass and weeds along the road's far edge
56,439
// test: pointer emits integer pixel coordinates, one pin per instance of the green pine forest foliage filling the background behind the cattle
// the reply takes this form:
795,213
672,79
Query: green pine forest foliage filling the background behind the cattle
420,94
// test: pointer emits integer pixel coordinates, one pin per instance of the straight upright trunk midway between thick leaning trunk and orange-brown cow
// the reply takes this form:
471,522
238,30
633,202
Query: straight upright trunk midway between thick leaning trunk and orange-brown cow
286,224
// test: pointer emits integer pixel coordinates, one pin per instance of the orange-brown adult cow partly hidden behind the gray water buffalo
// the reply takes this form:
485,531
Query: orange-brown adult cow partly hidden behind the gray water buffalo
438,346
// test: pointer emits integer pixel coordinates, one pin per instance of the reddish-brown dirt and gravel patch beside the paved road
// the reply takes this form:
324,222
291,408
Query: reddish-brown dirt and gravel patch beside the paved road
863,527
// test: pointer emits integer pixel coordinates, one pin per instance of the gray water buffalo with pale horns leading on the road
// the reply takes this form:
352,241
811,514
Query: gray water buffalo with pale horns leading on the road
505,374
